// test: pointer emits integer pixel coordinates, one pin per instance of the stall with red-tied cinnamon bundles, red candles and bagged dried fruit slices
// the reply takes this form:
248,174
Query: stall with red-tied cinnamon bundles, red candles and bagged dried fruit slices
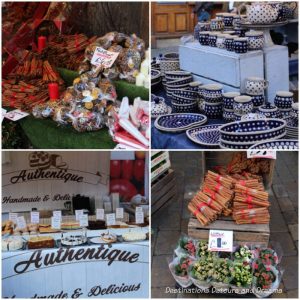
107,94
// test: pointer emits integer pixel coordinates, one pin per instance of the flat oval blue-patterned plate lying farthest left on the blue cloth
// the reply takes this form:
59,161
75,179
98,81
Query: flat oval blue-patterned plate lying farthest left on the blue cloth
179,121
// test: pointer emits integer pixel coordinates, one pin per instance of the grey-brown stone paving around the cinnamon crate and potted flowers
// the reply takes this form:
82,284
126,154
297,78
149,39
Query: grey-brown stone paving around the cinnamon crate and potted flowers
172,220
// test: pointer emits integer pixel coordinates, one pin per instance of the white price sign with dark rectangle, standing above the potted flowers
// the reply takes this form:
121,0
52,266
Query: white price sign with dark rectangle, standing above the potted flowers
220,240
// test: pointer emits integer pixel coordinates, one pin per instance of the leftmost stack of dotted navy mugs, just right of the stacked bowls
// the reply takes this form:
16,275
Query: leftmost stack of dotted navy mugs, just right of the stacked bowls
213,100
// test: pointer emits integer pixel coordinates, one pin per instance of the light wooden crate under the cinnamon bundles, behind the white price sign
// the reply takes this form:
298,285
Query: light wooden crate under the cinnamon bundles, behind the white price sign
257,234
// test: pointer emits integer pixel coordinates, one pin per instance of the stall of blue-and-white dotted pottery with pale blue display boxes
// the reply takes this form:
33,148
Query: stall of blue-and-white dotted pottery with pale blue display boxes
226,84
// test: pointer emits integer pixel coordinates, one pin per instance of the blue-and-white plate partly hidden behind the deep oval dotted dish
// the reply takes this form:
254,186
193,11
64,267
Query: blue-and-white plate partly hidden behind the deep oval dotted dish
207,138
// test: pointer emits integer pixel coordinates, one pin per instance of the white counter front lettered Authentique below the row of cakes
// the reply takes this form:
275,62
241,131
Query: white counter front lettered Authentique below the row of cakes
113,270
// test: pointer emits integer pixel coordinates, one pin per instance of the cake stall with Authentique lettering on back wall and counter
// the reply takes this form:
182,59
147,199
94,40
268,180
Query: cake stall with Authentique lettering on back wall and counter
76,225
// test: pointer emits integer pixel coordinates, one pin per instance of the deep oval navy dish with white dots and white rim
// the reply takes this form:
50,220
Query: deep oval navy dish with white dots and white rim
253,131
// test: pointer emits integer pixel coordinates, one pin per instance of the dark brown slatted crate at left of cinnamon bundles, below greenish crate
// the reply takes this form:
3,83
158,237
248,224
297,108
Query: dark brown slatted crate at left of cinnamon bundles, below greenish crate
163,190
